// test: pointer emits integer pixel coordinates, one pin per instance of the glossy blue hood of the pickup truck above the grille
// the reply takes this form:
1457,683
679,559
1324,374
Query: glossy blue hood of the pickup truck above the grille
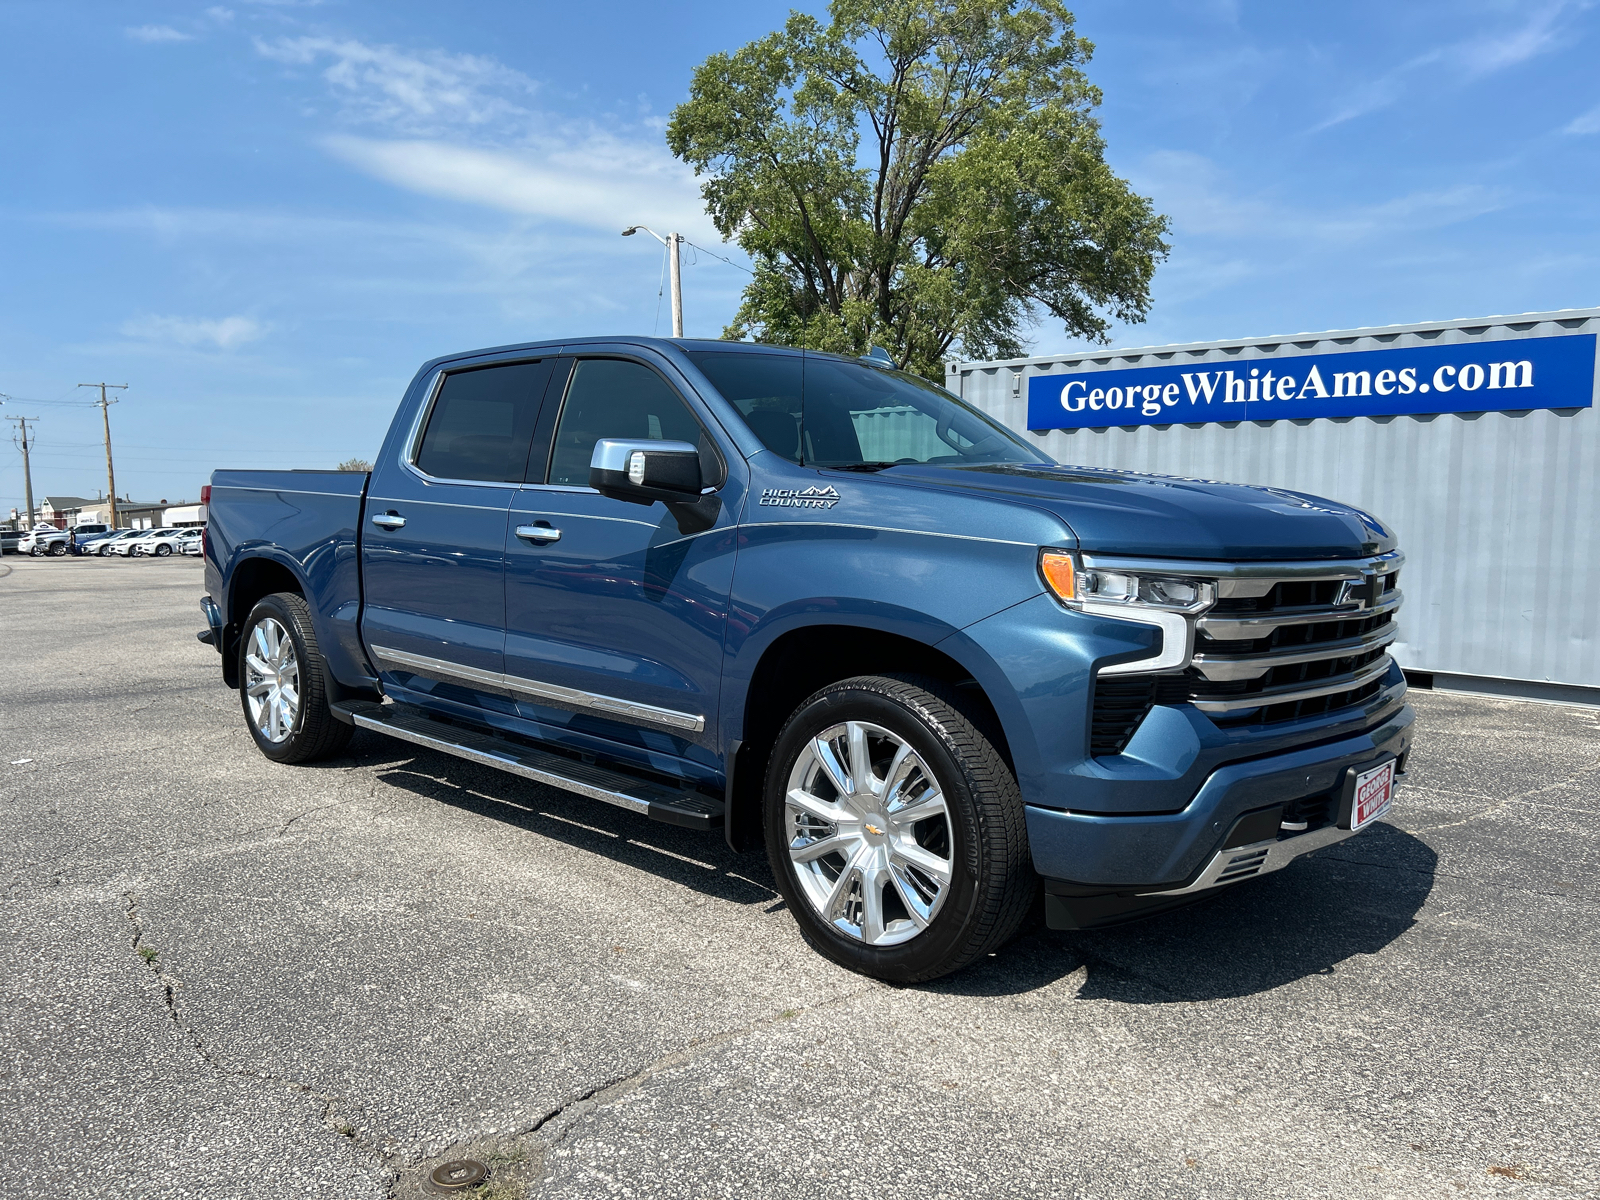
1172,518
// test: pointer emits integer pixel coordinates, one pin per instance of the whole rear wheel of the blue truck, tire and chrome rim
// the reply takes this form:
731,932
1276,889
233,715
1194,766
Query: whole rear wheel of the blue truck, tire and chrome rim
305,730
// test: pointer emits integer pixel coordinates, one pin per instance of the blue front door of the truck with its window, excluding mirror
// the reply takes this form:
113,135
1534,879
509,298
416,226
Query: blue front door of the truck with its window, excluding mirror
615,612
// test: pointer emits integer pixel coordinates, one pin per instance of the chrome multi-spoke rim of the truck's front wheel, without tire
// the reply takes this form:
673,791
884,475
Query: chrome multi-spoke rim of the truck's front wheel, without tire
870,834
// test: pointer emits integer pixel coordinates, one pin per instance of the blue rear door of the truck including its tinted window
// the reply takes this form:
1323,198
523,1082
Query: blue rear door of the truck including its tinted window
434,545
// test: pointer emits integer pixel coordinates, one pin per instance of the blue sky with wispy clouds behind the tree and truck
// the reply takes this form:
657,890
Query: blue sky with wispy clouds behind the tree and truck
263,217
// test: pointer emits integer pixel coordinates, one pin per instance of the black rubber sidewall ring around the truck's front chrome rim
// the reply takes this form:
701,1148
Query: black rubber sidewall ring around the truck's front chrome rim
951,929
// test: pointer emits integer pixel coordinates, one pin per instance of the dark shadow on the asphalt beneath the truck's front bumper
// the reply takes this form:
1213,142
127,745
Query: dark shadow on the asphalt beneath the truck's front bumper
1350,900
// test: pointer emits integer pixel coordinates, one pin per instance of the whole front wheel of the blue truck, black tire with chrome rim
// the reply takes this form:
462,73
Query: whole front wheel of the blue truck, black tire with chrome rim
919,746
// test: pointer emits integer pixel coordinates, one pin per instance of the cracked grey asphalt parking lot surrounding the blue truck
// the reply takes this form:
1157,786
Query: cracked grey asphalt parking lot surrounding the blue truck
228,978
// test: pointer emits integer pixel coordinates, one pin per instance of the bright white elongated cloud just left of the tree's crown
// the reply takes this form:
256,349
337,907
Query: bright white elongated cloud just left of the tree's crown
598,183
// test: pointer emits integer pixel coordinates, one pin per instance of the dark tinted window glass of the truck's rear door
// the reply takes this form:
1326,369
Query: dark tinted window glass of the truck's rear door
482,423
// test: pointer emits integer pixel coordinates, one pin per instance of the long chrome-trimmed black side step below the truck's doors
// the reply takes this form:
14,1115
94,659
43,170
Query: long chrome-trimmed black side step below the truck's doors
655,801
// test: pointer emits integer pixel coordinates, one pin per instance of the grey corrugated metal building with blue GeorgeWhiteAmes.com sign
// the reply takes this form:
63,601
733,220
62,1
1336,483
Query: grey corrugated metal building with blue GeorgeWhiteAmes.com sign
1495,510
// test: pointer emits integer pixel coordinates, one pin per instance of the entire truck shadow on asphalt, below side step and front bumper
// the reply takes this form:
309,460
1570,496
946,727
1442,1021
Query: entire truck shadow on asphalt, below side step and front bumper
1350,900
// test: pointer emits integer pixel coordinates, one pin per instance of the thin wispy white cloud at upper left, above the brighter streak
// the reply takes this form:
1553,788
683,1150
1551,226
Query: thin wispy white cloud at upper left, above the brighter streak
418,94
